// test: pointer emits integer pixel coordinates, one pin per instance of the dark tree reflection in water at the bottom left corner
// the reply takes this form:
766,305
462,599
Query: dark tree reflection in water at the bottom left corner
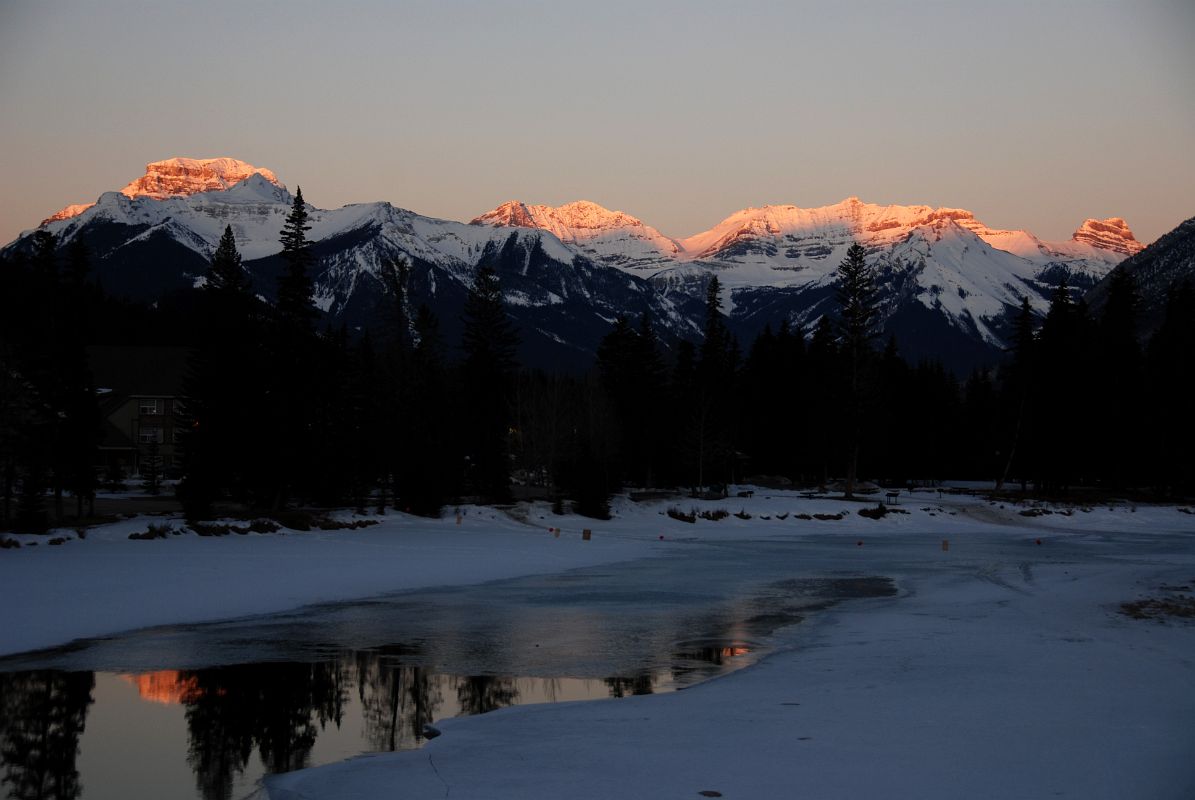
42,716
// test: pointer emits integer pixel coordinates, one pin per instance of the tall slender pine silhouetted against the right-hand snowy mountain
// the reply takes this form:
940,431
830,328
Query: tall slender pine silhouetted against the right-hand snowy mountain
859,315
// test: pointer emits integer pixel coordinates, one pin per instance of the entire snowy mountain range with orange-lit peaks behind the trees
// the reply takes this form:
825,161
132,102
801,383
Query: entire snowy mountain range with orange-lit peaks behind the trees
949,284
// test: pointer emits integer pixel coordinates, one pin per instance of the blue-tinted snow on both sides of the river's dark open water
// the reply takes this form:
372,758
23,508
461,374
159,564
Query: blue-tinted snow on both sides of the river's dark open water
1003,668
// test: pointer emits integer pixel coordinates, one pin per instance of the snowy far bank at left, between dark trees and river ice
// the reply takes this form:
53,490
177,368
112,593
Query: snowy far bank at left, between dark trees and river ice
108,584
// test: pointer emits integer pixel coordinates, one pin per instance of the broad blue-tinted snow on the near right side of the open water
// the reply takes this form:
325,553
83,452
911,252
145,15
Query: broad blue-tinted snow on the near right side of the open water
1003,675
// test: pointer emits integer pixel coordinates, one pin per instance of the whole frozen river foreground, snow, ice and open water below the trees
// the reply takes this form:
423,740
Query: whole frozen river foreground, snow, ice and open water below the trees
1003,654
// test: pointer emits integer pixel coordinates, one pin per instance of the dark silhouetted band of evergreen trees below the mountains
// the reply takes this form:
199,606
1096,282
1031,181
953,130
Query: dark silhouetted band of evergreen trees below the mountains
281,412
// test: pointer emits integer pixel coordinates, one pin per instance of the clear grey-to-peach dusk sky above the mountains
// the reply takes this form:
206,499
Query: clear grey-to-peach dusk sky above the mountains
1033,115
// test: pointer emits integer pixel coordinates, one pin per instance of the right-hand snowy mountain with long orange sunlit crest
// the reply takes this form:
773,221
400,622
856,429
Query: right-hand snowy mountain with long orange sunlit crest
948,282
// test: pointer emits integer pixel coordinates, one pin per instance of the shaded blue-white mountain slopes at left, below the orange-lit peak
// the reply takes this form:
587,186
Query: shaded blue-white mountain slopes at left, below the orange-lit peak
563,302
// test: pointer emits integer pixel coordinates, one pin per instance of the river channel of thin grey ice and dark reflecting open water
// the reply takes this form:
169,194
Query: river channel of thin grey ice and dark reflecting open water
206,711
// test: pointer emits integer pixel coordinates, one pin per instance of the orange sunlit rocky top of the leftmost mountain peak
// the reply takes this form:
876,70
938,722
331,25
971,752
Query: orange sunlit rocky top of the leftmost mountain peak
181,178
